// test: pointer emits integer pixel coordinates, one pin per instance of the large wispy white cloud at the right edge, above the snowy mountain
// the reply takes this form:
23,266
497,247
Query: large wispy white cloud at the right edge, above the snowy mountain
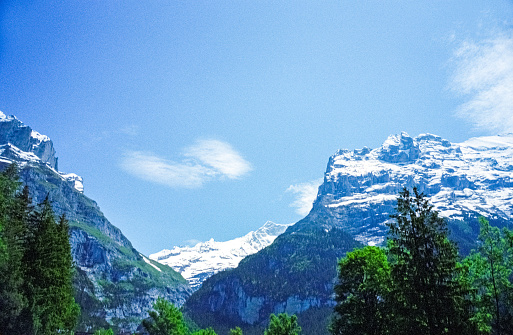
484,73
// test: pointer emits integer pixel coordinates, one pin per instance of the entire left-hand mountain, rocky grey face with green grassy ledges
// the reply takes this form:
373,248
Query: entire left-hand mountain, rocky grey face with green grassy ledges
115,285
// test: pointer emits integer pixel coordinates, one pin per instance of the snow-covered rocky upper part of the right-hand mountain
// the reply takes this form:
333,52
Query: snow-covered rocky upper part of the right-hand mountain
361,186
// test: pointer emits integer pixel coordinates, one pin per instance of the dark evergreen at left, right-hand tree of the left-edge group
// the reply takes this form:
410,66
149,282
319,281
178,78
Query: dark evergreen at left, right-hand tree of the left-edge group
52,307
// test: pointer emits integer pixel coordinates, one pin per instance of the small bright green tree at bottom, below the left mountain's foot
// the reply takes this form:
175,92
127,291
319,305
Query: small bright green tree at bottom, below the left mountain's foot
165,319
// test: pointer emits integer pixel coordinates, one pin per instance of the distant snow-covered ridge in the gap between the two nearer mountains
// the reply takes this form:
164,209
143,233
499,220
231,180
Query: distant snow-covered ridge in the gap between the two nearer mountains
201,261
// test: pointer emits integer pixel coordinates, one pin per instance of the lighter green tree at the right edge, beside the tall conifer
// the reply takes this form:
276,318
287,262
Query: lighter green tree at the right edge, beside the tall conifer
489,273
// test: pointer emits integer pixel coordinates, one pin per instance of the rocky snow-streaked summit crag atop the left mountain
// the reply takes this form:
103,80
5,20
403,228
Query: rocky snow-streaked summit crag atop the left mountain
20,144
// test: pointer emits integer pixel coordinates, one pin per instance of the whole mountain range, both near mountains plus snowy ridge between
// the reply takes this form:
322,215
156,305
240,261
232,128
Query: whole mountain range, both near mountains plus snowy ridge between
277,268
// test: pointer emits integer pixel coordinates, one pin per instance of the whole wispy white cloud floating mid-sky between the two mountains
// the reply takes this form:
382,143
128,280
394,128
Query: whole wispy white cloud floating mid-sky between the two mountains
202,162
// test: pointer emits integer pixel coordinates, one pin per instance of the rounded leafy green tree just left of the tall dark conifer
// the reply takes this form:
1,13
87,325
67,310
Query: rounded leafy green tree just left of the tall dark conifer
364,281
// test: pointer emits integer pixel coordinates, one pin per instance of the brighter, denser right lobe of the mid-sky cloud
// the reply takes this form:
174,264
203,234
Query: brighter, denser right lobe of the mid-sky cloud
220,156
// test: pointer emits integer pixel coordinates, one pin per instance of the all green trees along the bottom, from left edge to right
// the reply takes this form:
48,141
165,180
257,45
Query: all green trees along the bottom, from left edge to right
418,283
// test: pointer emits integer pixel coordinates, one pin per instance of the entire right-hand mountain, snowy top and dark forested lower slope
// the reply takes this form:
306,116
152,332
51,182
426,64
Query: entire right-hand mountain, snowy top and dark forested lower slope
357,196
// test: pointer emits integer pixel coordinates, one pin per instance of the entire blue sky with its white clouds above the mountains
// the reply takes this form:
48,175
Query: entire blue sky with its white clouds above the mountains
191,120
